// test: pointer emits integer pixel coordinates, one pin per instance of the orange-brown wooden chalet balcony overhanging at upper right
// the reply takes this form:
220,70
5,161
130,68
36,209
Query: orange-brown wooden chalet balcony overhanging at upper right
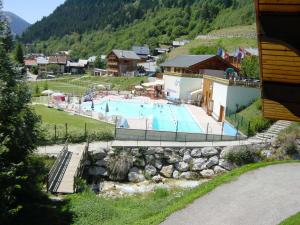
279,44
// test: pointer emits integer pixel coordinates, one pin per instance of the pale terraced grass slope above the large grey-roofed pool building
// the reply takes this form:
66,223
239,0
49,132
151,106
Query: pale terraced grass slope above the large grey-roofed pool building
230,44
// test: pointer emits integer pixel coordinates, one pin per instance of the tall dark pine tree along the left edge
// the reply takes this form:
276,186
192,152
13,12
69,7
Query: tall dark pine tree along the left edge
20,174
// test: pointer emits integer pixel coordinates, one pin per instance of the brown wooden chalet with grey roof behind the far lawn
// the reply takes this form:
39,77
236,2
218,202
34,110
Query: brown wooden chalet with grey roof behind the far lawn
122,63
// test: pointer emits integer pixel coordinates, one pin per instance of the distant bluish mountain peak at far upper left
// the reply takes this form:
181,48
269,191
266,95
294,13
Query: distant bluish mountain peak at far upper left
17,24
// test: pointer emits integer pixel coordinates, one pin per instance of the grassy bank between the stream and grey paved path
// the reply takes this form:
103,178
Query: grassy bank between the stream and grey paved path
153,208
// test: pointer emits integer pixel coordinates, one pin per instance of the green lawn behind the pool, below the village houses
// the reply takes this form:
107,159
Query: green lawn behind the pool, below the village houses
79,85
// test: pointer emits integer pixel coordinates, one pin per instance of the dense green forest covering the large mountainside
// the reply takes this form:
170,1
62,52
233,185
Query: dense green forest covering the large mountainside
93,27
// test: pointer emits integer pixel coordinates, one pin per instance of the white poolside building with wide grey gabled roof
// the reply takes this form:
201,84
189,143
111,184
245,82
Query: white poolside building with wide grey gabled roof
182,75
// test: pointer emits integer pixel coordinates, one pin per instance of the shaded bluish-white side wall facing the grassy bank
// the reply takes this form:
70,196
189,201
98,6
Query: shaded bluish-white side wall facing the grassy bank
242,96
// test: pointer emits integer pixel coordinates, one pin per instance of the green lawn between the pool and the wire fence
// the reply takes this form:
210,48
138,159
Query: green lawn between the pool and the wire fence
96,130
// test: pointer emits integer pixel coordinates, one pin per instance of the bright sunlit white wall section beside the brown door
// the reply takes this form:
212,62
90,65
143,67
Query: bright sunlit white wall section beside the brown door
219,98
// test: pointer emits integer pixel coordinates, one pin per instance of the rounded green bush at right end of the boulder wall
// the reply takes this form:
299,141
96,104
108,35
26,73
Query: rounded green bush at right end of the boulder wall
242,155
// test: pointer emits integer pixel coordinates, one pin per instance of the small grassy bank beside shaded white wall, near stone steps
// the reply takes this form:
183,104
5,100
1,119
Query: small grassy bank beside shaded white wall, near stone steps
253,115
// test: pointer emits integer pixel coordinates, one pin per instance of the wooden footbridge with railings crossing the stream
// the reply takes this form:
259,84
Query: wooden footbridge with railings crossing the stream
67,168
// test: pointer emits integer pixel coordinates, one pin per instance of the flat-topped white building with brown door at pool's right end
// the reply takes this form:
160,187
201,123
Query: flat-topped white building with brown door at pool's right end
222,95
